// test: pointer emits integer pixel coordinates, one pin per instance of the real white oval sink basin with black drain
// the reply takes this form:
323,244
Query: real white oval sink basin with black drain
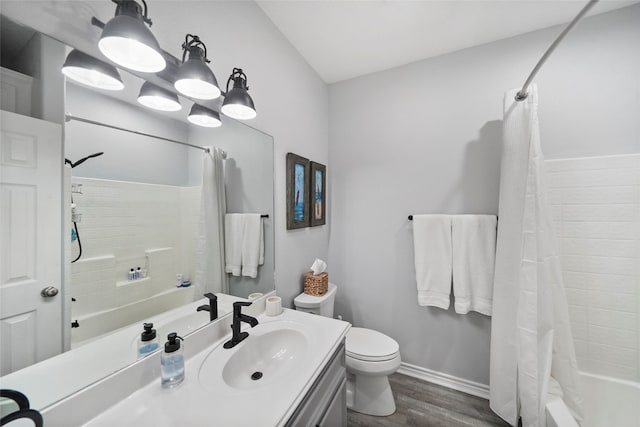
271,353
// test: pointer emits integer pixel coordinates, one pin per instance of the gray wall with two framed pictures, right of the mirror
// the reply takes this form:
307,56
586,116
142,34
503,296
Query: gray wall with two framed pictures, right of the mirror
292,103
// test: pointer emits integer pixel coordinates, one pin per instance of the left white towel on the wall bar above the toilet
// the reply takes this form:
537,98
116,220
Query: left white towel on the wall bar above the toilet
432,252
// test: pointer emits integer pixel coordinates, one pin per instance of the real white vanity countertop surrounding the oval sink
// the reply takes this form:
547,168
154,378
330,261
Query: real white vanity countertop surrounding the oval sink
193,404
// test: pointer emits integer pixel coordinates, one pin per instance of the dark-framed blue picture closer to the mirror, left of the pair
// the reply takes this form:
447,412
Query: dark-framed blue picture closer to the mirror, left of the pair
298,181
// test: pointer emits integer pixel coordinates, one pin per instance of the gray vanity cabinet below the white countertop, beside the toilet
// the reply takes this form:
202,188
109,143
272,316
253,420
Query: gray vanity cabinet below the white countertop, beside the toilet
325,405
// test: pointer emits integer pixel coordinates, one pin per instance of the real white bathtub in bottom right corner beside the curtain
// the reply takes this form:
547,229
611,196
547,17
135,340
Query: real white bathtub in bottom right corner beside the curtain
608,402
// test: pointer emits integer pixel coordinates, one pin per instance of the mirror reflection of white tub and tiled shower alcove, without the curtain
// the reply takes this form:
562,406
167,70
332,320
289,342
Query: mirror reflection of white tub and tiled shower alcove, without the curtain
134,215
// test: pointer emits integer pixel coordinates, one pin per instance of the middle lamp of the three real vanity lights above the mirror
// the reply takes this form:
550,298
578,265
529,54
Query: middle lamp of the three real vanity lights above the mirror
195,79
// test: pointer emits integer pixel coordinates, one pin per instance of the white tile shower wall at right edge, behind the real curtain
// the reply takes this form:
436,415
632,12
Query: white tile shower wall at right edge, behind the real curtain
596,208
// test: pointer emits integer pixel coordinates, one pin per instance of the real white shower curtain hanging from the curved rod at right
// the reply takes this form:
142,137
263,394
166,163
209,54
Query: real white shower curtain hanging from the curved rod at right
530,331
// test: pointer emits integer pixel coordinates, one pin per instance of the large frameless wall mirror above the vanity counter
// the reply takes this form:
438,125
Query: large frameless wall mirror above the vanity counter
134,234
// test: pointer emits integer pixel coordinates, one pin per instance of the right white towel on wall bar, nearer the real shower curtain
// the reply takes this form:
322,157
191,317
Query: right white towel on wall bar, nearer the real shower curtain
474,252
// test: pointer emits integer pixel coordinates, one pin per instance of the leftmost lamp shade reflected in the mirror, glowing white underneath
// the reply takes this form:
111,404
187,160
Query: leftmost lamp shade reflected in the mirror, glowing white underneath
85,69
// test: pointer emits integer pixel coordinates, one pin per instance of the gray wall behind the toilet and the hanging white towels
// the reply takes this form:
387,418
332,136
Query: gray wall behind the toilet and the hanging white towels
425,138
